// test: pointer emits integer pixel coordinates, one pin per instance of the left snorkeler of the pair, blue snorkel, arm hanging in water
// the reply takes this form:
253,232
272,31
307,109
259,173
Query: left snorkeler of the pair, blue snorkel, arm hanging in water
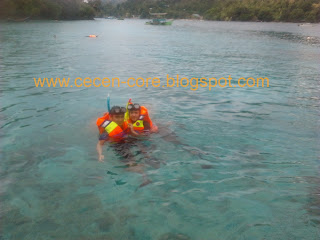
112,127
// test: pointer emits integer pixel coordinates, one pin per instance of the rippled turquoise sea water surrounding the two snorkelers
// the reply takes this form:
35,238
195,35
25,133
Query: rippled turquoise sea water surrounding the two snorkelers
235,163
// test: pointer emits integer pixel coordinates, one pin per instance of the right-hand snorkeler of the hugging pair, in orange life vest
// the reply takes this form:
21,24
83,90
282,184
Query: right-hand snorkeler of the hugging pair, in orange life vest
138,120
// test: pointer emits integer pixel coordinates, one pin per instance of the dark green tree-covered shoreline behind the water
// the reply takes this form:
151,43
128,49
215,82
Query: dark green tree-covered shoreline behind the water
219,10
